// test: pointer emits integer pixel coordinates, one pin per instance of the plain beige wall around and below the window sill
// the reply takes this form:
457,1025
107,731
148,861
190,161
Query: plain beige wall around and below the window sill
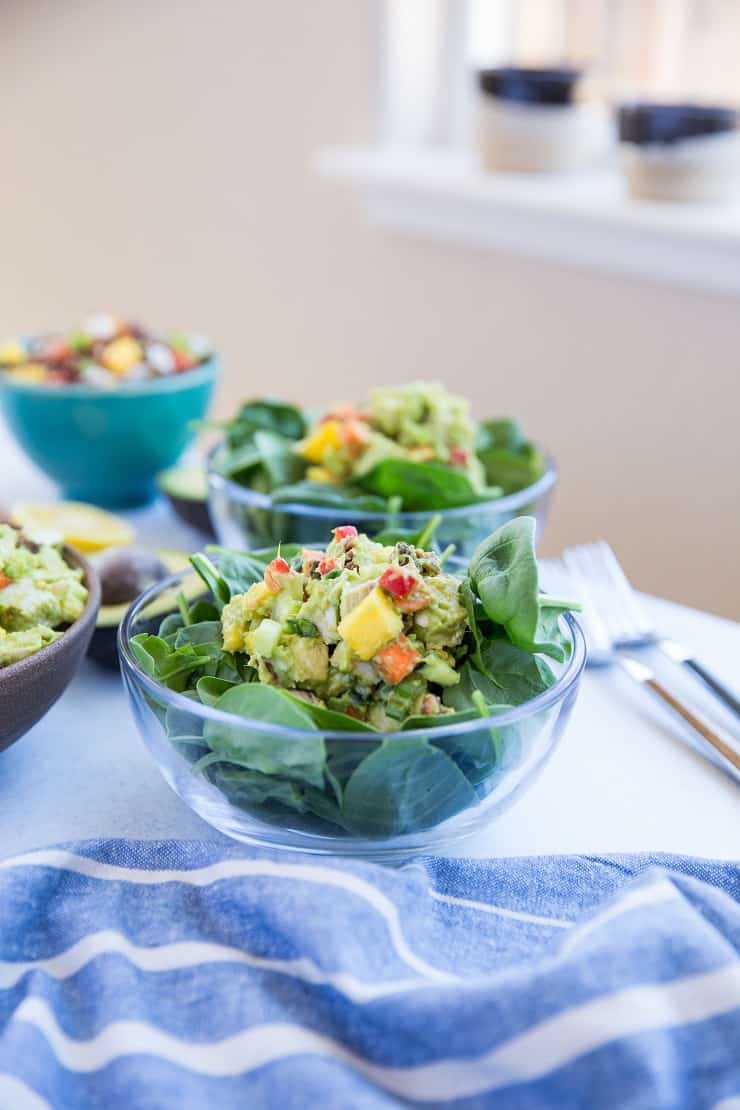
156,163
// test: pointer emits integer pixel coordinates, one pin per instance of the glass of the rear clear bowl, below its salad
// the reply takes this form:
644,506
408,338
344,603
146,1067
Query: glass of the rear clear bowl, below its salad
248,520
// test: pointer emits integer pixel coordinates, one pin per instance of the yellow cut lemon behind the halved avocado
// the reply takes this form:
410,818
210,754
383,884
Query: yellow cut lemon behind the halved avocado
75,523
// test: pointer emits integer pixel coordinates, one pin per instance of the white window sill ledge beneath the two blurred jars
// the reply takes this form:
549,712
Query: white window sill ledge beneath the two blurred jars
585,220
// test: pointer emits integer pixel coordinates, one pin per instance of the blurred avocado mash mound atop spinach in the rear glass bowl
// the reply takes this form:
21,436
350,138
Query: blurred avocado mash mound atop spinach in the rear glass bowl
421,423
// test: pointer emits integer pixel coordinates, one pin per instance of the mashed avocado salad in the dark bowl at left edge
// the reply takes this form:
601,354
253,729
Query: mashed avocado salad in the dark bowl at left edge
39,596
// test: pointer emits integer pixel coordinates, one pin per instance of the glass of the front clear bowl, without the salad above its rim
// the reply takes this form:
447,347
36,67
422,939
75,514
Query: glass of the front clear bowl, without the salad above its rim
422,792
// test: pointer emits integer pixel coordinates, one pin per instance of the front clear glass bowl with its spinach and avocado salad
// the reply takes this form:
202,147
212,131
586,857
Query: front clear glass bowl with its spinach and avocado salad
362,699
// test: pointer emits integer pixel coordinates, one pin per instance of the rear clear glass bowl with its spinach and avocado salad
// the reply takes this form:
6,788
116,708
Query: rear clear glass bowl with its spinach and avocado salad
286,475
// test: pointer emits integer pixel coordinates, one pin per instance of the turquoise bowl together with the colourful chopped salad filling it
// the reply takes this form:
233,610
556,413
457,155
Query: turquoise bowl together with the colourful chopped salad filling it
104,409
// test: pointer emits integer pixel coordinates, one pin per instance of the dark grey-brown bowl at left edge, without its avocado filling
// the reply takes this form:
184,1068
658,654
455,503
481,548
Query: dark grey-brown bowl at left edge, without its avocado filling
29,689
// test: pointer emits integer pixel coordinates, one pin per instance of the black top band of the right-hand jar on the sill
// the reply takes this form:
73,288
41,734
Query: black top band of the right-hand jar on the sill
643,124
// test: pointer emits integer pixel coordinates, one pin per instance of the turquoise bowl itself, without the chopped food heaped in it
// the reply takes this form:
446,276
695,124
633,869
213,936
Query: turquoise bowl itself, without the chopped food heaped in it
107,446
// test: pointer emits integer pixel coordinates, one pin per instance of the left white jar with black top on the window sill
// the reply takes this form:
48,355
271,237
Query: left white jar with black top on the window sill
532,122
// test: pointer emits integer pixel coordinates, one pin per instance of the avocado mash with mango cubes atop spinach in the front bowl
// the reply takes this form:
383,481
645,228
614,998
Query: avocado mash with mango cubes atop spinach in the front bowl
371,631
